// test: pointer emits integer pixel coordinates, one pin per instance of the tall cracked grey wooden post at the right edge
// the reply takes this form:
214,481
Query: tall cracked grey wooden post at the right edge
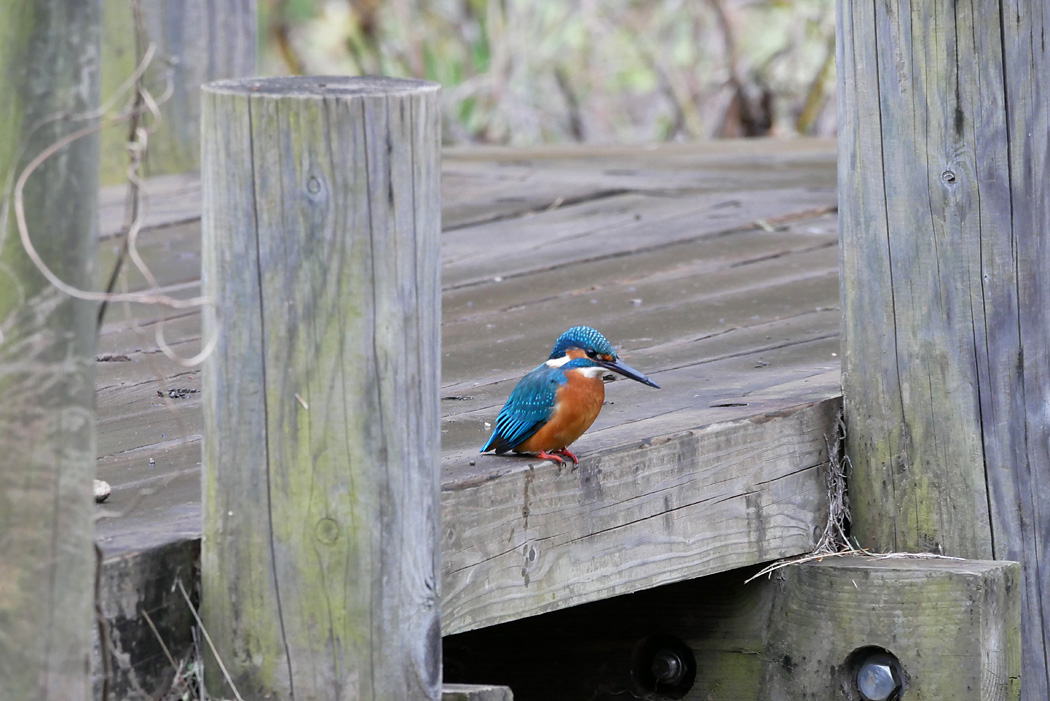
946,229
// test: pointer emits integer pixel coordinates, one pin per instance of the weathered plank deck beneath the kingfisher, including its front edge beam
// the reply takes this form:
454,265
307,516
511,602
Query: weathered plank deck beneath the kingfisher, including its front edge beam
712,267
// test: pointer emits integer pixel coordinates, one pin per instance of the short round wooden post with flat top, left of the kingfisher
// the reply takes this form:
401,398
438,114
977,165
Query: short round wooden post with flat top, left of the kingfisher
322,250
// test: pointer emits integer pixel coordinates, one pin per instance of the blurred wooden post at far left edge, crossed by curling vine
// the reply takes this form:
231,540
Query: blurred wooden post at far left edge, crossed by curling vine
49,70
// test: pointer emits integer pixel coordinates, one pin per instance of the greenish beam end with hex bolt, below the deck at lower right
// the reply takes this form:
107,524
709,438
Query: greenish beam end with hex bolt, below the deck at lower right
954,626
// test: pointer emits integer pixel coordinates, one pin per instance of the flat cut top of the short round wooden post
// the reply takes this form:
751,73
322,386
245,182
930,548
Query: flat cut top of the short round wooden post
322,87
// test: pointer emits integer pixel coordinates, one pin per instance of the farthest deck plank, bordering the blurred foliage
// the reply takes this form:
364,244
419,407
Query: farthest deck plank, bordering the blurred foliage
487,184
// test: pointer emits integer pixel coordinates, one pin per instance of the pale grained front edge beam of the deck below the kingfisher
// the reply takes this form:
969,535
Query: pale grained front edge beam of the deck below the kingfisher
673,505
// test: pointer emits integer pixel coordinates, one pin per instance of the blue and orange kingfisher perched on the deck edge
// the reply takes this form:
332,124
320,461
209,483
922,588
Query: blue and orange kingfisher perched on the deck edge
553,407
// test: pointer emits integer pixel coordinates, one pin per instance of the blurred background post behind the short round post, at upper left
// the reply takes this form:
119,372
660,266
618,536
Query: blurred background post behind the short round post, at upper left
197,41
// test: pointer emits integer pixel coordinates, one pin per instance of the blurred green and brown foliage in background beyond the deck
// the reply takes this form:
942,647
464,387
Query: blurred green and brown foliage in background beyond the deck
528,72
